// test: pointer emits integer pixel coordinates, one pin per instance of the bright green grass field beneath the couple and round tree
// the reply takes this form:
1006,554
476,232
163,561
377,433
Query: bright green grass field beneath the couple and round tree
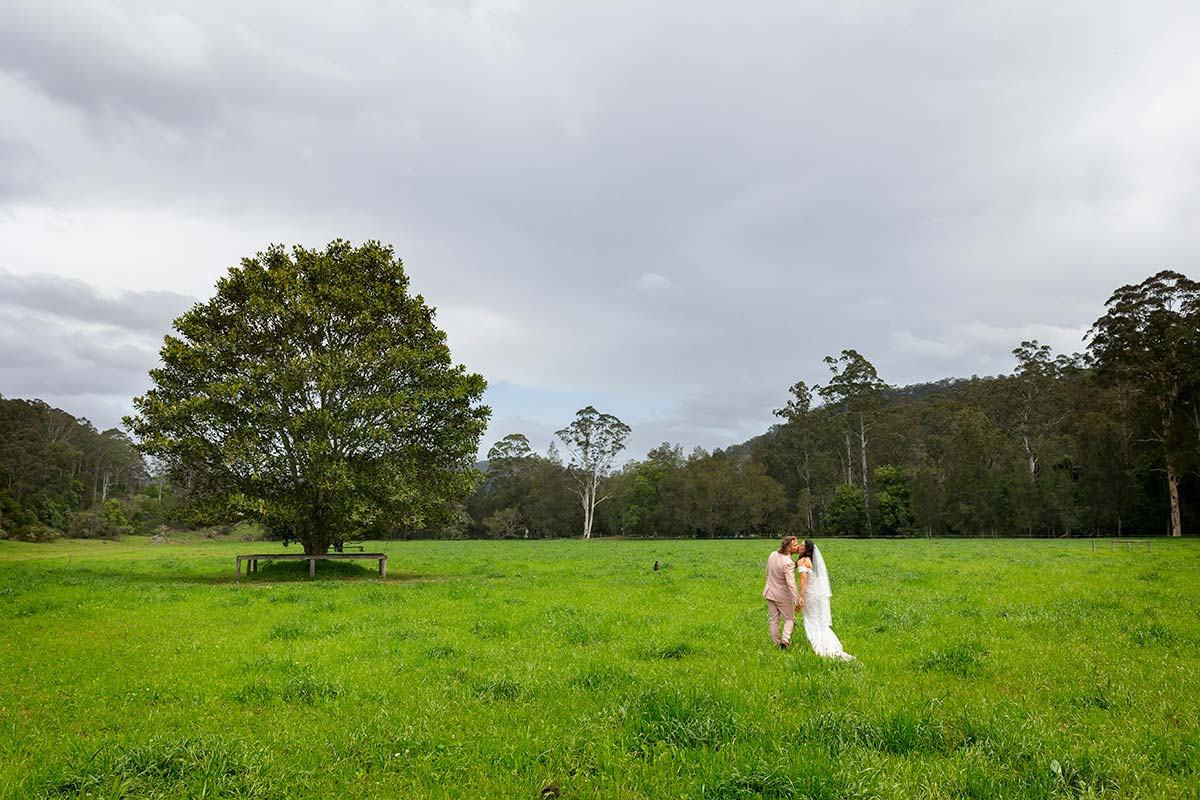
490,670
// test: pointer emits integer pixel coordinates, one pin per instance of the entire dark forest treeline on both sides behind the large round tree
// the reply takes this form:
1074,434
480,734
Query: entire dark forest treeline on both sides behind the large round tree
1101,443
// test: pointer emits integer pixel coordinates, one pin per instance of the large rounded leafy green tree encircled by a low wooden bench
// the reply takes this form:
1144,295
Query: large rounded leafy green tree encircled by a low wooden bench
315,393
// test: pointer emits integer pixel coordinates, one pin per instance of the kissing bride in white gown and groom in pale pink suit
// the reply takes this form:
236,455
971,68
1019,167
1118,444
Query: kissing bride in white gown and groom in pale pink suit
812,598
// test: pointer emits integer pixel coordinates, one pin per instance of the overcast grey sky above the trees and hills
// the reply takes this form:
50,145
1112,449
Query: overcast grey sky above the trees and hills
669,210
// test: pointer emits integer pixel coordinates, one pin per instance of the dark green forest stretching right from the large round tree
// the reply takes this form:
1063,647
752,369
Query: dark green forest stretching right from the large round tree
1101,443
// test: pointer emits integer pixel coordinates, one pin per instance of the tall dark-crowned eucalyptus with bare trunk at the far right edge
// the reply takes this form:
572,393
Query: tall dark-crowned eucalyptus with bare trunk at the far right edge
1150,340
